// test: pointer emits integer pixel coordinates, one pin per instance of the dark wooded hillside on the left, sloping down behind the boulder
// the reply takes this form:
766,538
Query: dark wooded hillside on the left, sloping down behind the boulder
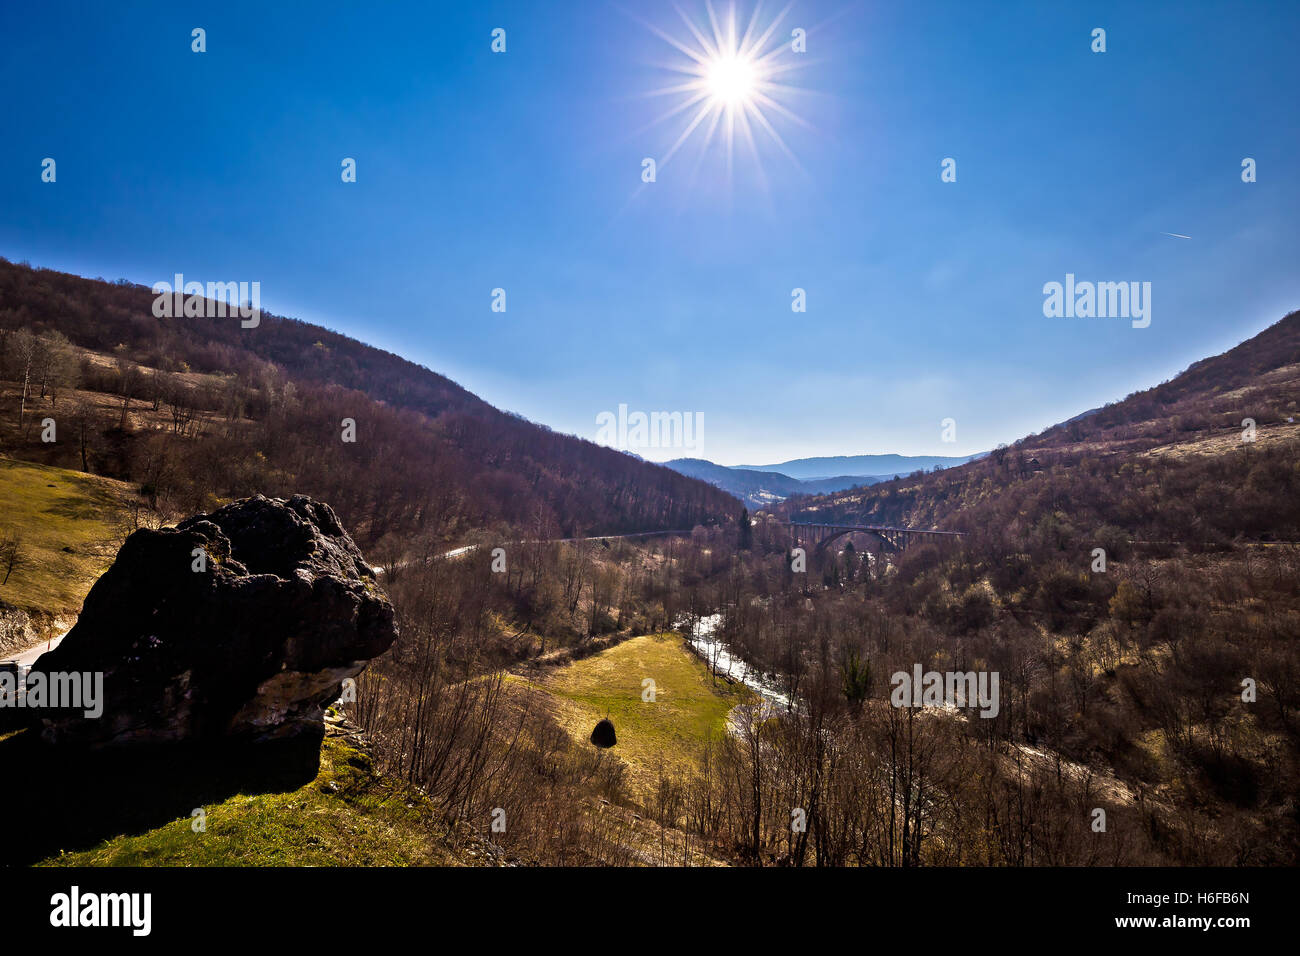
197,410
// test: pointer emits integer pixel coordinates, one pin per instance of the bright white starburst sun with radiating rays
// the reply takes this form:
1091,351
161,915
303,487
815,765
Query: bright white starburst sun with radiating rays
729,84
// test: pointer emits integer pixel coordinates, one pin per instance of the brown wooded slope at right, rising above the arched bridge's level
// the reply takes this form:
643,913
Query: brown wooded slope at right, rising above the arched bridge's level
1201,461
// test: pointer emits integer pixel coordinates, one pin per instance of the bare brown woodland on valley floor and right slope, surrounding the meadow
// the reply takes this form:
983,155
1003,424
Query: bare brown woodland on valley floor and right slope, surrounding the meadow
1121,689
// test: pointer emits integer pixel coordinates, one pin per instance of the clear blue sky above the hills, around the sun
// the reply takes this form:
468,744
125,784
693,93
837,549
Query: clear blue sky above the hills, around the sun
523,171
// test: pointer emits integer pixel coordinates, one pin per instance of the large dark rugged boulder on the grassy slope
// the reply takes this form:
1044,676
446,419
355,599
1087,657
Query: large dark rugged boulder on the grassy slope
246,652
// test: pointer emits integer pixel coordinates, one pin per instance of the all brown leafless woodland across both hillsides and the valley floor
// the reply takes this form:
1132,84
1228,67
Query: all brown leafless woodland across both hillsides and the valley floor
1123,685
